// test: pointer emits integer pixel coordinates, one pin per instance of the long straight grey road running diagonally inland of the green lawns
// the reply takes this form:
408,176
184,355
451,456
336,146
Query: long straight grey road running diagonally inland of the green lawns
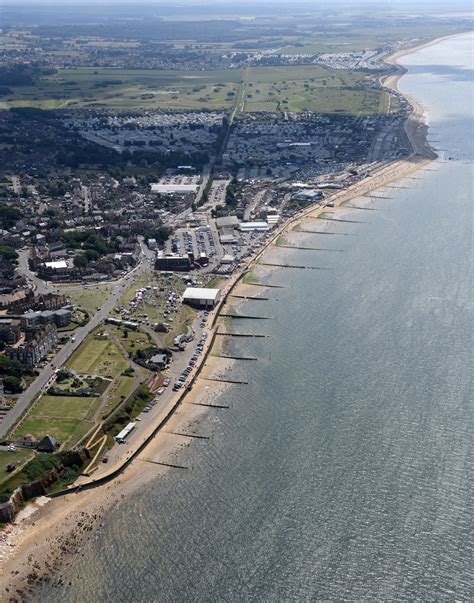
39,384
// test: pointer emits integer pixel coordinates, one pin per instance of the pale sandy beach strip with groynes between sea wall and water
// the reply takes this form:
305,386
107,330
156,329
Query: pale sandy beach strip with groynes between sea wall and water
39,544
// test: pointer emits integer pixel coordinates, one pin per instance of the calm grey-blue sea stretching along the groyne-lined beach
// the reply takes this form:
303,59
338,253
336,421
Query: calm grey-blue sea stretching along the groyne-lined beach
345,471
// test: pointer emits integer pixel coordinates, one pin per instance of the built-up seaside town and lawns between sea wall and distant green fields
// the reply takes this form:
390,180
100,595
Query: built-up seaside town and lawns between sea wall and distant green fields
120,243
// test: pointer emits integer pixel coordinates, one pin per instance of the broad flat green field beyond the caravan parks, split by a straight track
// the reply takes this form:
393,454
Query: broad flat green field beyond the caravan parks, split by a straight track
292,88
